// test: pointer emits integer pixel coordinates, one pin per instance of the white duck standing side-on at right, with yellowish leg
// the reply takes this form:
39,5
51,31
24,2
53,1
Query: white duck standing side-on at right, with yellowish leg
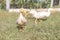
40,15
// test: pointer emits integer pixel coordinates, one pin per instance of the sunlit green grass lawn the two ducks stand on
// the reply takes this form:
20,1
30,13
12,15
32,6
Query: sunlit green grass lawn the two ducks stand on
46,30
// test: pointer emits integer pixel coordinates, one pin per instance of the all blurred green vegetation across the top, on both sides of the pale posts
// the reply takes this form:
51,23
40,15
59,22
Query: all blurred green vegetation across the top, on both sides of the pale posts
26,4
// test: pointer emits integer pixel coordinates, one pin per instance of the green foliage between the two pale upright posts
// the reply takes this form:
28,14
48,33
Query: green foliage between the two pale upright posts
31,3
